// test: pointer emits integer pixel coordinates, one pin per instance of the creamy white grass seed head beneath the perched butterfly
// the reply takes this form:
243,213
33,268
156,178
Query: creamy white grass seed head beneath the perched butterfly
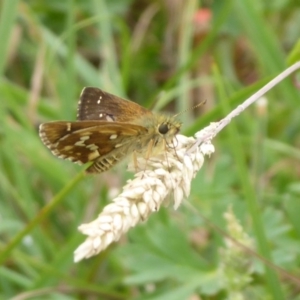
157,180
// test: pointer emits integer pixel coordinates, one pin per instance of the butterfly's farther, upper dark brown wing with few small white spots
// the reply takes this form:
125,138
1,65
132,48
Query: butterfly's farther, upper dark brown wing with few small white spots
95,104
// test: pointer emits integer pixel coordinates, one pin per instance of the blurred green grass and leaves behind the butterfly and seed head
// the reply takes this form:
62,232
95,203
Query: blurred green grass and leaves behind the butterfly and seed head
168,55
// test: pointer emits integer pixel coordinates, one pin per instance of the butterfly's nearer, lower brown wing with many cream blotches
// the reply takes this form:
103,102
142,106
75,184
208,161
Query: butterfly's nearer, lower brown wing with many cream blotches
80,142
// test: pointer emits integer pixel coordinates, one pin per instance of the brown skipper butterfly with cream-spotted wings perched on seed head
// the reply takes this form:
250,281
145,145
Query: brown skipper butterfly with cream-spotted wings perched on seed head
108,128
